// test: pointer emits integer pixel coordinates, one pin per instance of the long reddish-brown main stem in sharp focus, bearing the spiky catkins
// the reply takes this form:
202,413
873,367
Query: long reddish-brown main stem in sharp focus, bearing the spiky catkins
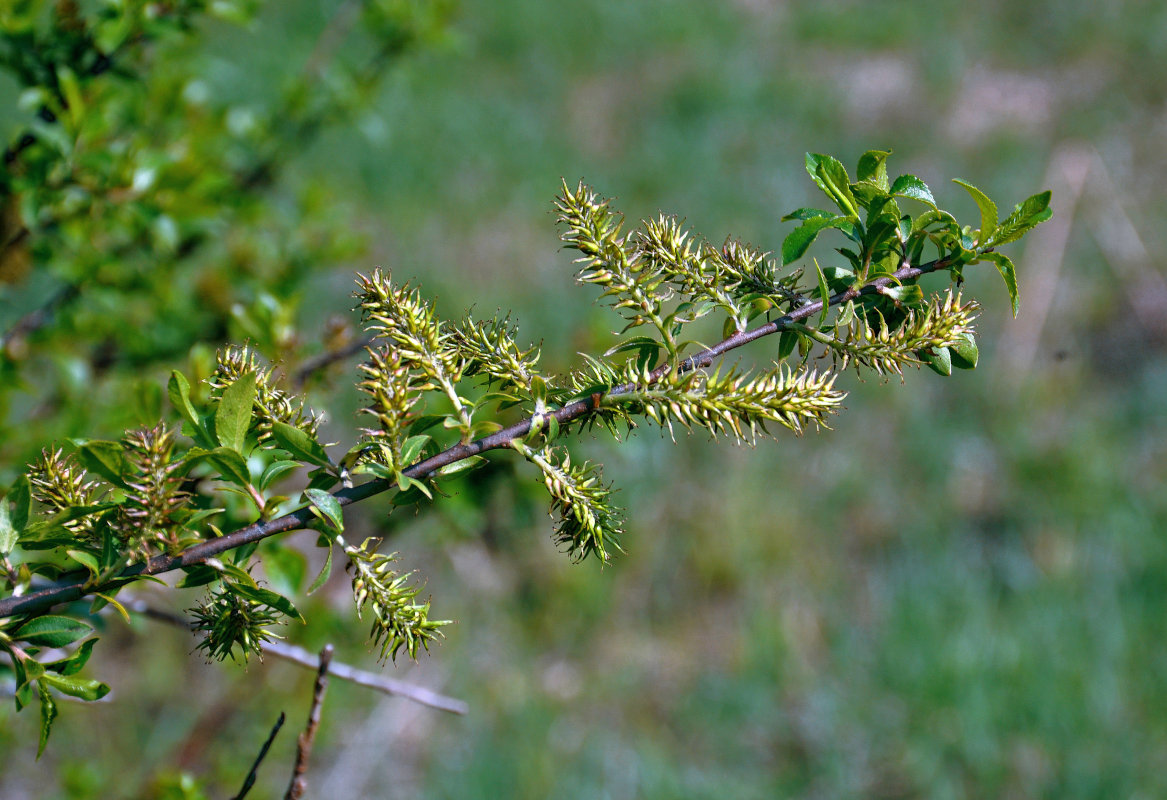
76,586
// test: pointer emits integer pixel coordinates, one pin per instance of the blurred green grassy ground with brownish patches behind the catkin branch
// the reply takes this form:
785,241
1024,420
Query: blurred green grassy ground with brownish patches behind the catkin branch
960,592
